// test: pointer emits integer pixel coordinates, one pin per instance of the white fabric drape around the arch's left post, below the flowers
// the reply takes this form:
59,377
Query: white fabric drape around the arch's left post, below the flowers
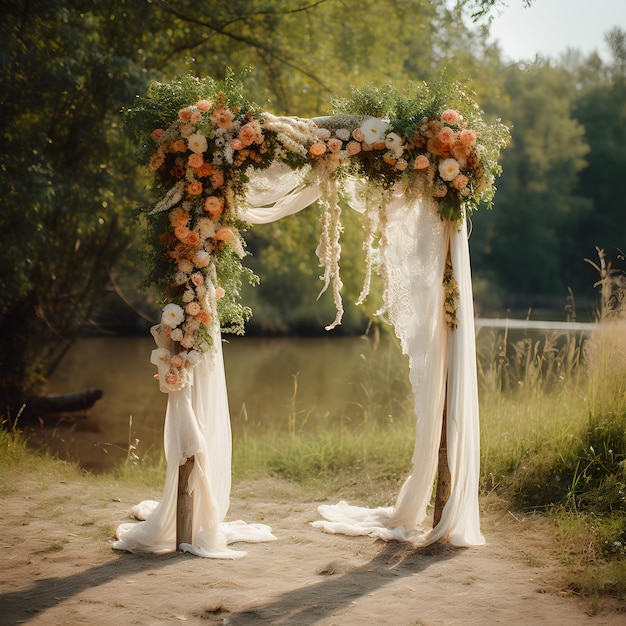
197,423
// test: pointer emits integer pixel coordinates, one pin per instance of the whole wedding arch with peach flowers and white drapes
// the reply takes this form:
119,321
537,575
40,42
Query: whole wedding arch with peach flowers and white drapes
415,165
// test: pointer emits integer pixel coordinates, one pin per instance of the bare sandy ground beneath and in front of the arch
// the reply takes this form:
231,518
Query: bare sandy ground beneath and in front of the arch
57,567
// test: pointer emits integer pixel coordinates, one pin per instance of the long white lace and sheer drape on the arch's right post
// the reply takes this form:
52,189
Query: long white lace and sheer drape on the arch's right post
417,253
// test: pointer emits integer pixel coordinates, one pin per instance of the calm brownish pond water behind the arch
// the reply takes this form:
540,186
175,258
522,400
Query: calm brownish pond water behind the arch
262,375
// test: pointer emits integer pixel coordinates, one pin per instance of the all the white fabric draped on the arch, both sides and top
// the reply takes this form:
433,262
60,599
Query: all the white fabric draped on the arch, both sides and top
197,419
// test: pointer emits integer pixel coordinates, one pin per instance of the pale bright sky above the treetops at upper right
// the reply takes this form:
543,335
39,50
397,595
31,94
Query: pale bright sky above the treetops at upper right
550,27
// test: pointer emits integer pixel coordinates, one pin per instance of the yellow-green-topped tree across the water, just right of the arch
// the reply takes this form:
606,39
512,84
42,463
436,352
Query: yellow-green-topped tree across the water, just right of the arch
522,247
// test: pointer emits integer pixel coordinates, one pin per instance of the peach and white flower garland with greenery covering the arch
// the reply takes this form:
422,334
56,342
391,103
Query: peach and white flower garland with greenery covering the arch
202,138
